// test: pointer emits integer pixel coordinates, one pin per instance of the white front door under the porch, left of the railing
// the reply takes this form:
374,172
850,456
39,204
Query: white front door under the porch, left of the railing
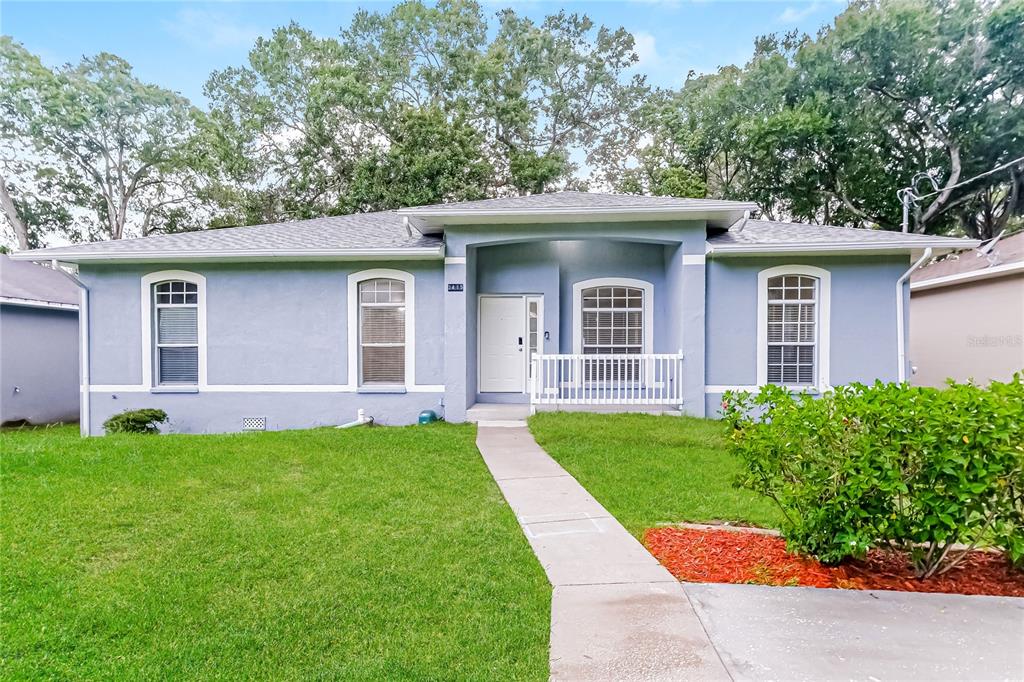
503,345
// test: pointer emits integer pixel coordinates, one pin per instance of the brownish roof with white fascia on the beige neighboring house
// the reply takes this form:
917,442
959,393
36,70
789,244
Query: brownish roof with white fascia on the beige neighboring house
1004,258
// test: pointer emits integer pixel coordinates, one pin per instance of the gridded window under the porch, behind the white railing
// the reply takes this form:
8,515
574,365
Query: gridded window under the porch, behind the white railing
613,323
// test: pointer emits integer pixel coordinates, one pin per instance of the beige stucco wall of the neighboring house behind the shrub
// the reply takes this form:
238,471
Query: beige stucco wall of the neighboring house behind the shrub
971,331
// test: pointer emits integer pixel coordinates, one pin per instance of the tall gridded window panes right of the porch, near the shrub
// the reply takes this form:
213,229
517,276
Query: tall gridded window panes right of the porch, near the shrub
793,330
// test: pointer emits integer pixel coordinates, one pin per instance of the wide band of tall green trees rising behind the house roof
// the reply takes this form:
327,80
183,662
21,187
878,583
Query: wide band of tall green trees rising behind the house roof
426,104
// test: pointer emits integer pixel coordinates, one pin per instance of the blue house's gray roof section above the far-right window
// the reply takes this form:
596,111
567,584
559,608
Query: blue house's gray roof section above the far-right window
756,237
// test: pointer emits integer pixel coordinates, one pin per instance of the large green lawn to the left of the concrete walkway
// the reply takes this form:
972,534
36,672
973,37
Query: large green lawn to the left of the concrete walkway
362,555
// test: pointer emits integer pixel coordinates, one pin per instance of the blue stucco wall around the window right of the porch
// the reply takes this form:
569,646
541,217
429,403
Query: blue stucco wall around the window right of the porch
863,330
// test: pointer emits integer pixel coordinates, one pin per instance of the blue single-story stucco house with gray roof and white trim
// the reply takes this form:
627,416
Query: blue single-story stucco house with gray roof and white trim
556,301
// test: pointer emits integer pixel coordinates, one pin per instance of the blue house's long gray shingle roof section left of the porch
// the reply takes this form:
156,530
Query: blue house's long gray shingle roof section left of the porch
361,232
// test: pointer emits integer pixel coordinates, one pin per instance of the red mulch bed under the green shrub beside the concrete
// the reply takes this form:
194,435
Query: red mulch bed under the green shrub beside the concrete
732,557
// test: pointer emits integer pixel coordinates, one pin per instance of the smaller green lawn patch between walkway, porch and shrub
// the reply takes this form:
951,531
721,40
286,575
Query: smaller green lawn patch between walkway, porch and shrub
649,471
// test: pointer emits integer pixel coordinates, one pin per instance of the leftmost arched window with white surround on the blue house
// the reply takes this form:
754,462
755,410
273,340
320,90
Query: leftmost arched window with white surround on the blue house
176,329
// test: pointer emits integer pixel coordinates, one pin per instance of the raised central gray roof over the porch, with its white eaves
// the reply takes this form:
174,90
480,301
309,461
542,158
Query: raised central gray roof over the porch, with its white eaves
575,207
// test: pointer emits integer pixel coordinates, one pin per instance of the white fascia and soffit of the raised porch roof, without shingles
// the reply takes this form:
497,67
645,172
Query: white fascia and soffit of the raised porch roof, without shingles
434,221
